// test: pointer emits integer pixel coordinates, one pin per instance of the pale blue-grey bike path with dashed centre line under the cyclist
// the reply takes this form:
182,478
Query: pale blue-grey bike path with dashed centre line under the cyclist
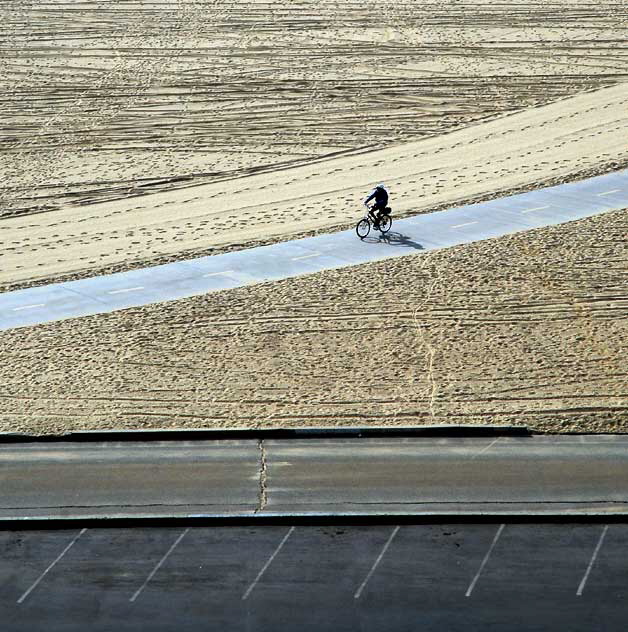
287,259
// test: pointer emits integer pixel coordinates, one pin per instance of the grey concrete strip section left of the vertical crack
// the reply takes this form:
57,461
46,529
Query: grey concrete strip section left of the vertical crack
129,479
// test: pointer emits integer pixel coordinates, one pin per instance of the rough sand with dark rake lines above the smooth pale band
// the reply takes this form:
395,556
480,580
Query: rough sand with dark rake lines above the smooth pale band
106,100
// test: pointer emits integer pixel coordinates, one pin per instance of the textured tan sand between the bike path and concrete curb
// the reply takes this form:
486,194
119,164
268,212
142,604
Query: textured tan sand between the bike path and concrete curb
528,329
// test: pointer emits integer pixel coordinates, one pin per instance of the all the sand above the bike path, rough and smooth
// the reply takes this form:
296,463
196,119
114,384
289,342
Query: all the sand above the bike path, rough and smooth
249,122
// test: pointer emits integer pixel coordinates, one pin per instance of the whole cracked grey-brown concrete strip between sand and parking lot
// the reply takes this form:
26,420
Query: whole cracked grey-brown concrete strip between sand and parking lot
504,475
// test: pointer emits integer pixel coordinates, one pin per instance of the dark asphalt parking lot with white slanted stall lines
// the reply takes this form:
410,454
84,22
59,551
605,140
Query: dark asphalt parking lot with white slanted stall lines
501,576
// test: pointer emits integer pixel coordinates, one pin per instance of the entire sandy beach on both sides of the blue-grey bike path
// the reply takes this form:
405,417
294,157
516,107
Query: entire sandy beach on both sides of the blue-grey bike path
138,134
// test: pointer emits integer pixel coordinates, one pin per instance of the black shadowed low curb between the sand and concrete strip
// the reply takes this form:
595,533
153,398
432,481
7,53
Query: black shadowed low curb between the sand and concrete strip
206,434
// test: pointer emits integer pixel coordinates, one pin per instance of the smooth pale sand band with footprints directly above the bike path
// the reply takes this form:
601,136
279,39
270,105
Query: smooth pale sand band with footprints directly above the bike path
528,148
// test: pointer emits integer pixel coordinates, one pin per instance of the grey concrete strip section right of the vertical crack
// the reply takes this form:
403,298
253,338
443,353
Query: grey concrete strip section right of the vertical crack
500,475
